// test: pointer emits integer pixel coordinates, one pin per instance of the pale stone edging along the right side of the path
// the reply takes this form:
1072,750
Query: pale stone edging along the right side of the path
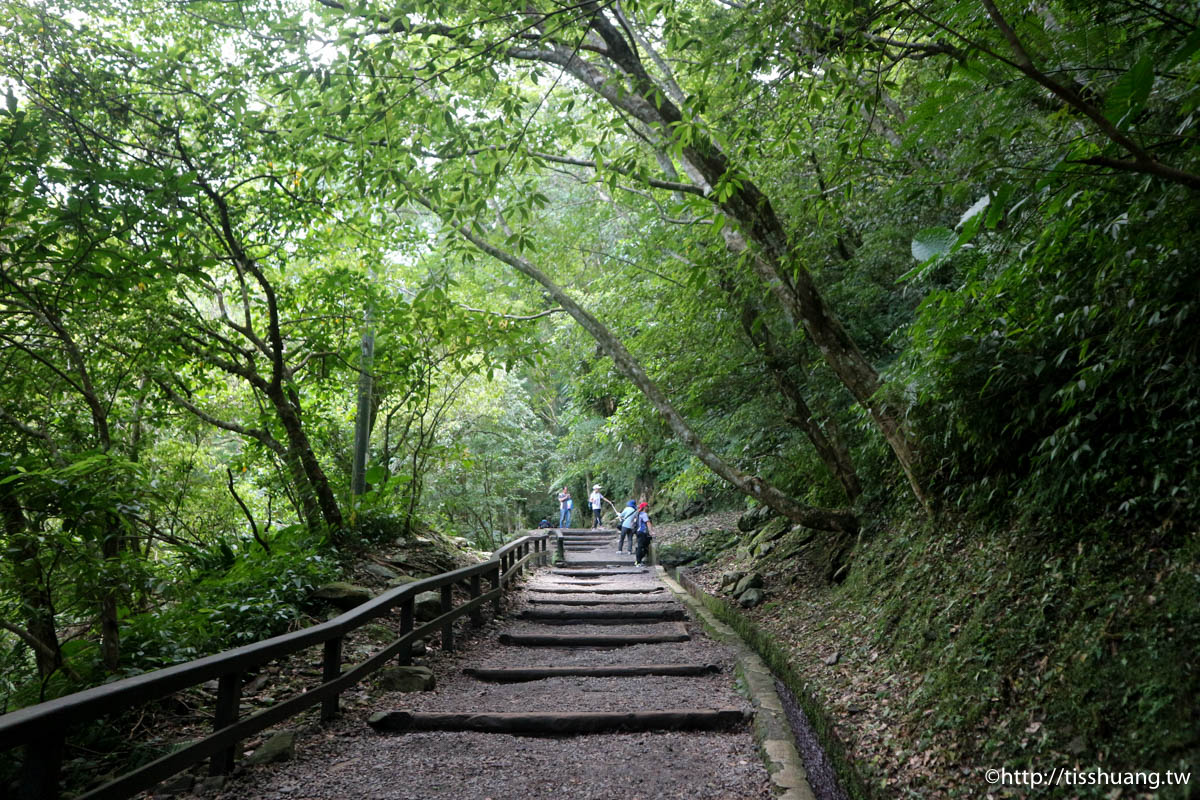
771,726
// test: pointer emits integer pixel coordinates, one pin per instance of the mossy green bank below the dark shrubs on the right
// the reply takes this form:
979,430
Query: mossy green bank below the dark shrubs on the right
1088,641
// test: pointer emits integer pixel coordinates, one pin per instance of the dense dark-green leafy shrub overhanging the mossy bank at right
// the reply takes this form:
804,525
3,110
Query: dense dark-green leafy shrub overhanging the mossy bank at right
1066,374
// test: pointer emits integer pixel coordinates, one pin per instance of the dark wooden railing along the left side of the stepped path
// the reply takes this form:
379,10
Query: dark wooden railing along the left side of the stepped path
43,730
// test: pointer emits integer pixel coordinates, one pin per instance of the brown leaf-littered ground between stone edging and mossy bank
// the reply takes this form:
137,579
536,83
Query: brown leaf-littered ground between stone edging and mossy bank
862,693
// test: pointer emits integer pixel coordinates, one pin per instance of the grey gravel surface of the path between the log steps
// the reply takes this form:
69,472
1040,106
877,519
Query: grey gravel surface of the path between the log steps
349,761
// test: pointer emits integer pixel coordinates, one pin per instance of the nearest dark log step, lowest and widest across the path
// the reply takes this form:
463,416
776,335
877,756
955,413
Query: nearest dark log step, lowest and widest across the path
559,723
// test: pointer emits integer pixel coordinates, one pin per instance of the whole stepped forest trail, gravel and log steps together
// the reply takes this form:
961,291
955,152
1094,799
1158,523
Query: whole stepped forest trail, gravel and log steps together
617,693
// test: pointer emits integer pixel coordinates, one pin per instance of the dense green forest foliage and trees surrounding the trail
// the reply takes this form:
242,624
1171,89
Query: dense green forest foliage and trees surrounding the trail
856,261
